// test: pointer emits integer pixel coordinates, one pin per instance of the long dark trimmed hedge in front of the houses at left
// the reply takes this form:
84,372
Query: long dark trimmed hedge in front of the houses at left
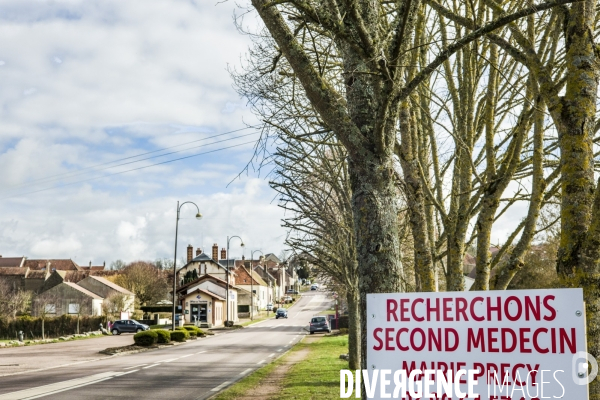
53,327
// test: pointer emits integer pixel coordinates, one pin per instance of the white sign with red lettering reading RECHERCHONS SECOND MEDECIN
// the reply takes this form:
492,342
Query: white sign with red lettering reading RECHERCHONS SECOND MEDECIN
529,338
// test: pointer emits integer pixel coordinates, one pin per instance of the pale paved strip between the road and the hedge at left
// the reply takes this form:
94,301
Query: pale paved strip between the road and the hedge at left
15,360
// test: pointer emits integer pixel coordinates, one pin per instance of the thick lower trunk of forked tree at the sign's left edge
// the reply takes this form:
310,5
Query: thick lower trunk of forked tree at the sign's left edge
374,201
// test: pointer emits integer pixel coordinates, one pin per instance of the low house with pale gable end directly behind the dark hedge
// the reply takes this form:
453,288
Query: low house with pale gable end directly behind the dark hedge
67,298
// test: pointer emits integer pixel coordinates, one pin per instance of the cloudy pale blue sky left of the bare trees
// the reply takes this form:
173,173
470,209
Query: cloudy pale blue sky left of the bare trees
86,83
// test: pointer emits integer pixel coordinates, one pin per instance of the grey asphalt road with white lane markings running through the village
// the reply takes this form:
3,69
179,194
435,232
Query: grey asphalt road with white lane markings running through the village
195,370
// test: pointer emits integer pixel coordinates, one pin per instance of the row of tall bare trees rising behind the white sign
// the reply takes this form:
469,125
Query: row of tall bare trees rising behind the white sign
437,115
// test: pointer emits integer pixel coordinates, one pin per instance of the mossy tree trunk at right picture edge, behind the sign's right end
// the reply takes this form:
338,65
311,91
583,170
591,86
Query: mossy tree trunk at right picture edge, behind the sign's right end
574,118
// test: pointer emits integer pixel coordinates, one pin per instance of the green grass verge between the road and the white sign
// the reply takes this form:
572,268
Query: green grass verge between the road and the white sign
315,377
